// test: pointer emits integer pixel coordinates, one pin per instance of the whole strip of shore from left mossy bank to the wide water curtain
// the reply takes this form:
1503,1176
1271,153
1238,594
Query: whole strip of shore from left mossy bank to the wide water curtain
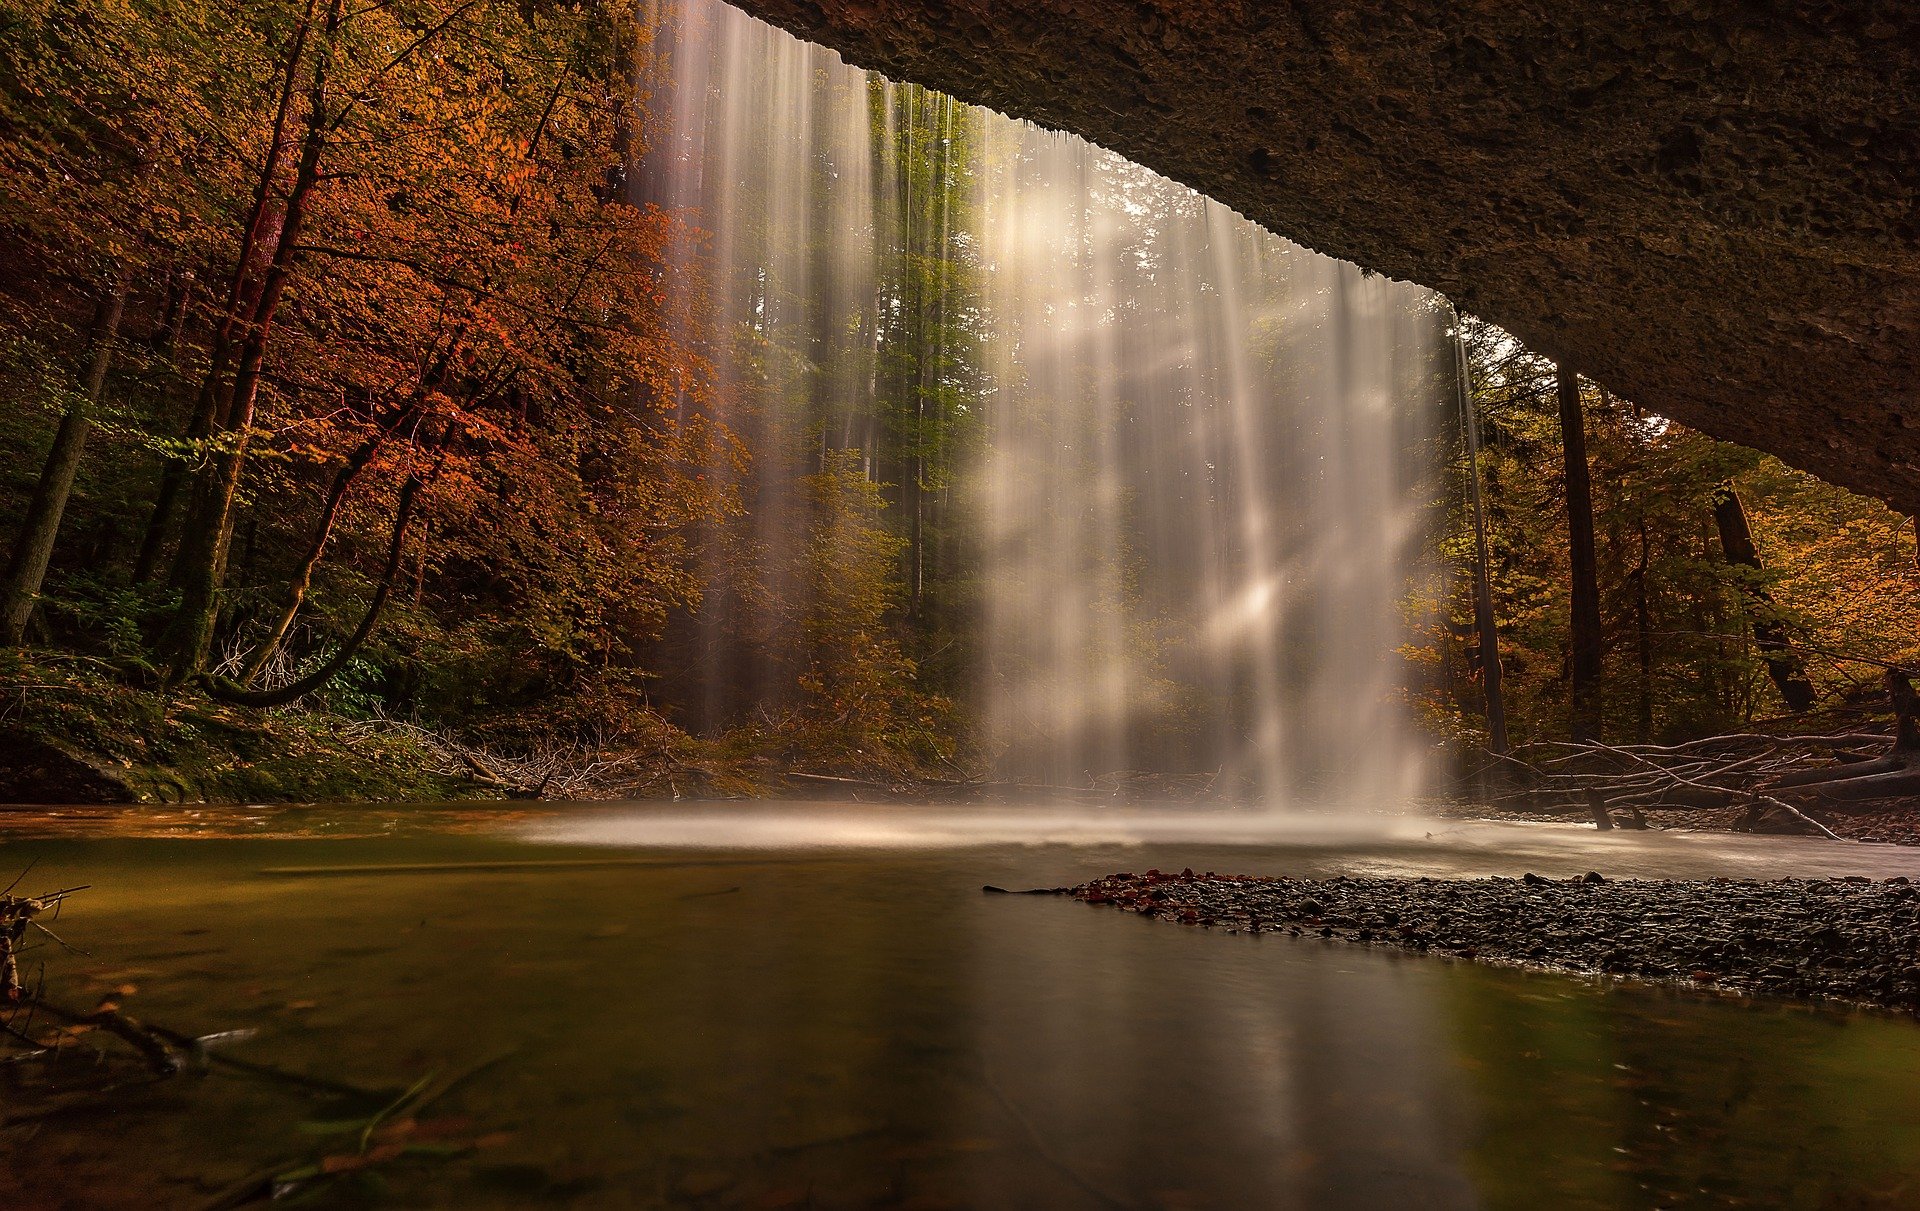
74,732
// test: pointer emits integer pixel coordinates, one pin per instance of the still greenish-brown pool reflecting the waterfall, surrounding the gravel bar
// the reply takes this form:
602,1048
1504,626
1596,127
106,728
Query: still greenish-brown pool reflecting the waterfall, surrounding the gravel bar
815,1007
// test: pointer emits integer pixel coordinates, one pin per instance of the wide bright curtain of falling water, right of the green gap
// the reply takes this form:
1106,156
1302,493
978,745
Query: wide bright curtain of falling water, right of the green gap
1205,488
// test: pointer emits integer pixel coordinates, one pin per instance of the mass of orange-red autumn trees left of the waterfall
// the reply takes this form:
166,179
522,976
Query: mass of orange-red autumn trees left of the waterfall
398,293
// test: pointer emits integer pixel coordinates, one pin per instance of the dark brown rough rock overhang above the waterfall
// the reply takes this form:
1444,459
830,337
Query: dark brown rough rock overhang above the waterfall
1710,206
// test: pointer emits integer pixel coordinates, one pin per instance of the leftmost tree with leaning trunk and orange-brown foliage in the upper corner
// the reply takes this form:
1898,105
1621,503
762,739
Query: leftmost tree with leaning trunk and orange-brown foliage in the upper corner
105,183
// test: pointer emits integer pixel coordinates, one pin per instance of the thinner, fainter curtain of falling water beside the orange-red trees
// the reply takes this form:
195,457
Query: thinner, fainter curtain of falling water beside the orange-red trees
775,156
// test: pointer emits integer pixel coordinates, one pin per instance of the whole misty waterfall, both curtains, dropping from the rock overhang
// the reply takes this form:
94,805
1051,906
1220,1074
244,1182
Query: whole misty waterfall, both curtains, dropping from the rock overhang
1180,458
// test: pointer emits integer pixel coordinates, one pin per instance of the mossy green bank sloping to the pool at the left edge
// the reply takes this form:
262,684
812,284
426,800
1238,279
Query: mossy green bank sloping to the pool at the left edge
74,732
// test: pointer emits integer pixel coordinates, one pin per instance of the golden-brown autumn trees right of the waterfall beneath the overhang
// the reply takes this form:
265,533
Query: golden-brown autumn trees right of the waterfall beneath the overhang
1677,619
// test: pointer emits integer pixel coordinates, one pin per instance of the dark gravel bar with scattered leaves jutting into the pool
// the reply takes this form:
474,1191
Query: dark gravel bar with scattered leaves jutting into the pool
1838,939
